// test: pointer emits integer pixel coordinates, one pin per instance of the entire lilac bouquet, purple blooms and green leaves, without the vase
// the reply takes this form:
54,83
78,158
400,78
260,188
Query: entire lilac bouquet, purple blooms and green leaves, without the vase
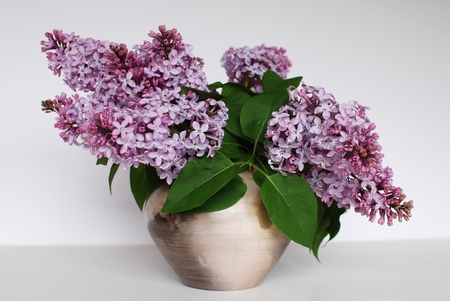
152,111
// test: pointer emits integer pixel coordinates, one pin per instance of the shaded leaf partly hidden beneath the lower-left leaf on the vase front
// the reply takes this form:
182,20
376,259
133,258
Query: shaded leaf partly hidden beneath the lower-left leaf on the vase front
226,197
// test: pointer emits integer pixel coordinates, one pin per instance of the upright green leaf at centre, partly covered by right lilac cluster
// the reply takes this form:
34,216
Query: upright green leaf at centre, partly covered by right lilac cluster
257,111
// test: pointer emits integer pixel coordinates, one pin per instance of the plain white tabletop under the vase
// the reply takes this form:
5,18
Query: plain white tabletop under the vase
406,270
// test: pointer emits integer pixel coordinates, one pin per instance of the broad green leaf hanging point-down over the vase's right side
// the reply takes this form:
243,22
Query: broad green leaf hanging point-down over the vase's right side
292,207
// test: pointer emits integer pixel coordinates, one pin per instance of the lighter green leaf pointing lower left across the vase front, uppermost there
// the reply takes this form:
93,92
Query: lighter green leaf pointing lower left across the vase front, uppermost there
200,179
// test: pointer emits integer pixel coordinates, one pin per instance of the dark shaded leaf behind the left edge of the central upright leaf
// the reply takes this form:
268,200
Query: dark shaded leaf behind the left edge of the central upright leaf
234,103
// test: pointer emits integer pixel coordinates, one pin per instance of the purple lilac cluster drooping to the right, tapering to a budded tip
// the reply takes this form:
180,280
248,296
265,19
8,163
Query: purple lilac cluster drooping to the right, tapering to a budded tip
334,148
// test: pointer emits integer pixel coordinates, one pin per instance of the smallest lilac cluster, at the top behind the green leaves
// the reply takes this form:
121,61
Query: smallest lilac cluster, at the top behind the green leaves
247,65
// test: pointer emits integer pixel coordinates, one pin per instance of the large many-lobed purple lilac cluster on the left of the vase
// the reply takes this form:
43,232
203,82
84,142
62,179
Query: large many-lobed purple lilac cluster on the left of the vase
134,112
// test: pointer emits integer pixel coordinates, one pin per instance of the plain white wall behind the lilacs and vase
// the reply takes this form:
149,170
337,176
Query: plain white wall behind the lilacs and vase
392,56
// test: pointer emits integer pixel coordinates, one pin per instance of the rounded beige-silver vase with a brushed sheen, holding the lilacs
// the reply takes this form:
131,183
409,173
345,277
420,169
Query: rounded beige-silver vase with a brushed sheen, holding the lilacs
231,249
